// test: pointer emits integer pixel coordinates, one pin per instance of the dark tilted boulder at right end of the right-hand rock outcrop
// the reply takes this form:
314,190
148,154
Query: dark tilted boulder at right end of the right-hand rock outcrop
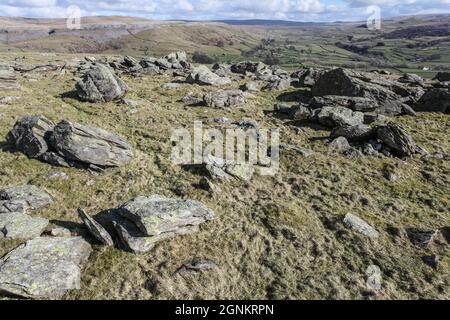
397,139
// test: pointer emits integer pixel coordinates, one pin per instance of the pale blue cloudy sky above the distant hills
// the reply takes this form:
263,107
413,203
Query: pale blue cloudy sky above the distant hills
296,10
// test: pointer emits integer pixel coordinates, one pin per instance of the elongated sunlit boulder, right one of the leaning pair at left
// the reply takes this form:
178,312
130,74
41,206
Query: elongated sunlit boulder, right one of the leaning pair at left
90,145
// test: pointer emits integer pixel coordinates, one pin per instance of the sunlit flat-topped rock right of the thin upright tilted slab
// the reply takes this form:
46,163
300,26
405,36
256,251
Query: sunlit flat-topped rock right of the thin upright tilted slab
155,215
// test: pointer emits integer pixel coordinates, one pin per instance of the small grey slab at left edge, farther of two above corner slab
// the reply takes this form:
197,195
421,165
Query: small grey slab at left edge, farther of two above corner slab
22,198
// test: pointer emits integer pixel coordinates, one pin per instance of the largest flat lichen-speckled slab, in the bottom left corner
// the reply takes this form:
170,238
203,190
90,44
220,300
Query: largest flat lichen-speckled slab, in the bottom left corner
44,267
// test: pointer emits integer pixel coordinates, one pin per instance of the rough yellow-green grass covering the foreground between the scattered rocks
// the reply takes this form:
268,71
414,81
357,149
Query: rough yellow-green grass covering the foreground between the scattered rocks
275,237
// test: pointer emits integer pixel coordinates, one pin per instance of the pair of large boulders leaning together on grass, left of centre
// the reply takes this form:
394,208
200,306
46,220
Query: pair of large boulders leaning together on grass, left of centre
68,144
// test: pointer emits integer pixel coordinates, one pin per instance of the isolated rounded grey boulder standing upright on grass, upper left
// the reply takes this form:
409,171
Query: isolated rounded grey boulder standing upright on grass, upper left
100,84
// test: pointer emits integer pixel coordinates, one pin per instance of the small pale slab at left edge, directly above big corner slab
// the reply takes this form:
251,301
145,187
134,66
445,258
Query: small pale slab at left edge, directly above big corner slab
16,225
